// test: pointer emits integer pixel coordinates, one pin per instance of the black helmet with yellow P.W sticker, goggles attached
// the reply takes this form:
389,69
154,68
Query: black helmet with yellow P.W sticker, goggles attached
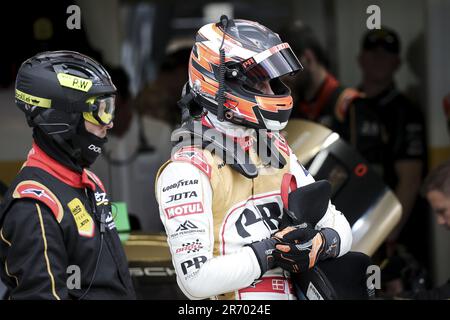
58,89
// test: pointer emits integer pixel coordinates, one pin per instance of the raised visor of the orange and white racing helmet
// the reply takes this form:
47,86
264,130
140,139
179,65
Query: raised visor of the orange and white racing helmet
271,63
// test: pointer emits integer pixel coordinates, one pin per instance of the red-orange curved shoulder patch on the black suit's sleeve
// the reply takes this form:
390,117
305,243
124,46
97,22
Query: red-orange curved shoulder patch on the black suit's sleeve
35,190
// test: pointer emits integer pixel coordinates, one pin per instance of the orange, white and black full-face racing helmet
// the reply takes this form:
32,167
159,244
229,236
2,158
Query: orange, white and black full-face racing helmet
227,62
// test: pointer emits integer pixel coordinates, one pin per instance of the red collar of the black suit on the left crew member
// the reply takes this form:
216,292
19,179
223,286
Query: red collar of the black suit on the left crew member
39,159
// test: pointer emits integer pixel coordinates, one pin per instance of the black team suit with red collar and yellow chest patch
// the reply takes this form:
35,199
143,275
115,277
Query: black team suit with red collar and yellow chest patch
57,236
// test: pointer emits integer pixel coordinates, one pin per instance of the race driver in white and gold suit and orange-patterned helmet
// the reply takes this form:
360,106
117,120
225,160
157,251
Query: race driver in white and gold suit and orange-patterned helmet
222,209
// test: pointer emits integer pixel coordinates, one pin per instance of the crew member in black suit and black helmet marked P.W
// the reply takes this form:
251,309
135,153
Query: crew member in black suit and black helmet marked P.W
58,239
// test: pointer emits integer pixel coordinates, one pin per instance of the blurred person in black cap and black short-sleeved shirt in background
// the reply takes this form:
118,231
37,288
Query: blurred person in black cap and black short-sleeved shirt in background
389,131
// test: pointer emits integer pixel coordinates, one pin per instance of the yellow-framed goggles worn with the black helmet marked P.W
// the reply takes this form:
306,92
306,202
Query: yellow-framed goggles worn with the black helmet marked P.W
102,110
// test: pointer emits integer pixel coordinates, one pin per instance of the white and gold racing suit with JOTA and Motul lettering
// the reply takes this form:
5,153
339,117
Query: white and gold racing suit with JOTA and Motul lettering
210,212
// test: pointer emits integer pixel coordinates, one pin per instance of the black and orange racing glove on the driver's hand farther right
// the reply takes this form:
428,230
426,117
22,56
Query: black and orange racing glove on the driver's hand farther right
298,248
